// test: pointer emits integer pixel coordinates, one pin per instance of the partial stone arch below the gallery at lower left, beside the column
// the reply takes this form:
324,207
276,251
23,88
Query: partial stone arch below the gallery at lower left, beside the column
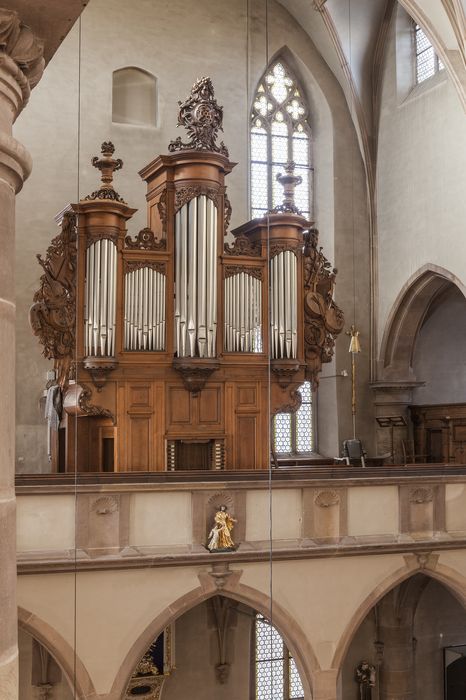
65,656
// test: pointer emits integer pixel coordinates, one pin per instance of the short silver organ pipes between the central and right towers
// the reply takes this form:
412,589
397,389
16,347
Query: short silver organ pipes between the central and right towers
243,303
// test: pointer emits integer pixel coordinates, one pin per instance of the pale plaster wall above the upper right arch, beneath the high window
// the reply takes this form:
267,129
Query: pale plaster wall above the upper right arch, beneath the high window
420,173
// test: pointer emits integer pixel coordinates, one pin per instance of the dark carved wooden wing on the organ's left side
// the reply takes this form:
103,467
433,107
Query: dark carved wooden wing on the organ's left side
53,313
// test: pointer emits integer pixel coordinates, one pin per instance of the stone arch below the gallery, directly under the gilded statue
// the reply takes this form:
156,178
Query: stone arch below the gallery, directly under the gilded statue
295,639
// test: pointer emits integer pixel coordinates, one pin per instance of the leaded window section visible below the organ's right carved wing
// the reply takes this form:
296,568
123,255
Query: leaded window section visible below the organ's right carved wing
292,432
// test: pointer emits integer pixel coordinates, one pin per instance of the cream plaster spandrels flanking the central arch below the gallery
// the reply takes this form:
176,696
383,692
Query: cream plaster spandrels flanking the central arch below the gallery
319,597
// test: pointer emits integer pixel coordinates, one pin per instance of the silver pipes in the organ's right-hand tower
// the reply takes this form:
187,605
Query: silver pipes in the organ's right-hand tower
283,306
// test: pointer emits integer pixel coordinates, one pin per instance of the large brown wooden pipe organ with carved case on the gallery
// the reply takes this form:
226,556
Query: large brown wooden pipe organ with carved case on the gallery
172,348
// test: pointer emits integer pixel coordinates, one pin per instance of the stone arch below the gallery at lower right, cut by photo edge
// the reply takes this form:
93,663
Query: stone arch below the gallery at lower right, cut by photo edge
426,564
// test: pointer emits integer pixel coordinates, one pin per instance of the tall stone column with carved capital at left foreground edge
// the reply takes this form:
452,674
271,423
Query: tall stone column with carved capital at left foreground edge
21,66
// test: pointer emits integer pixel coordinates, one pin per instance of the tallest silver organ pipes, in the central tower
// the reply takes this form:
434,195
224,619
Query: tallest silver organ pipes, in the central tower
196,278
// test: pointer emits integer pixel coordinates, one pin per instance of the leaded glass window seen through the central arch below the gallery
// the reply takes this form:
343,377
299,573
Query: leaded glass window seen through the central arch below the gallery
276,675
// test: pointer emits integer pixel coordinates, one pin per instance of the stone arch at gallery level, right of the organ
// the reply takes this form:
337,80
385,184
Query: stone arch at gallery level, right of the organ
407,316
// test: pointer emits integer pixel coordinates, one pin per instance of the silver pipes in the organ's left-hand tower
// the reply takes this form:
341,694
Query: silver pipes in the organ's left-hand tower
100,299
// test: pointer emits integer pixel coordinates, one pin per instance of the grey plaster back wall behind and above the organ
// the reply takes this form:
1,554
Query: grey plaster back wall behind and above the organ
176,44
